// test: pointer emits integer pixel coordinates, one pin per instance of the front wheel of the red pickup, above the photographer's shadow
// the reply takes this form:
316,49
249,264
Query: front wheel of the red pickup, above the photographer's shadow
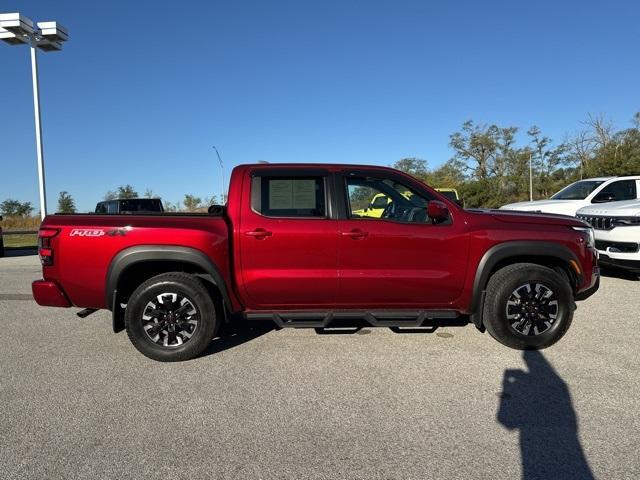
516,316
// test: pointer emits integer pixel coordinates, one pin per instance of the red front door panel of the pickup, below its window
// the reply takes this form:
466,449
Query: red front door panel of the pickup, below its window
400,264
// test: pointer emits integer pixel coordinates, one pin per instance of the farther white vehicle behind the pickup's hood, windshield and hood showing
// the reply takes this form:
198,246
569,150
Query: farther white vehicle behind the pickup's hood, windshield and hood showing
582,193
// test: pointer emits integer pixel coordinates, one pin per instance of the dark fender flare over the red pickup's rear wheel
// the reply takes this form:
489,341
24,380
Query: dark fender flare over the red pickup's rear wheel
149,253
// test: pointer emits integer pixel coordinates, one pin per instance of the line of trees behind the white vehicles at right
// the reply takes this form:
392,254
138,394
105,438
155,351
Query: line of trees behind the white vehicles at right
490,163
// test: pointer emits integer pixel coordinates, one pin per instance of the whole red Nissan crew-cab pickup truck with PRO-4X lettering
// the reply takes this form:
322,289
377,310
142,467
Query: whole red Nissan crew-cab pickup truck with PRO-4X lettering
289,248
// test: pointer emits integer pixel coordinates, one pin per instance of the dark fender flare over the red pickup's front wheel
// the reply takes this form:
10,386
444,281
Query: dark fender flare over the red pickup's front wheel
548,254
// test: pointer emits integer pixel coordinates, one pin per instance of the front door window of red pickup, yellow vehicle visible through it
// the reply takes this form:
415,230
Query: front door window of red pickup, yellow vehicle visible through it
385,198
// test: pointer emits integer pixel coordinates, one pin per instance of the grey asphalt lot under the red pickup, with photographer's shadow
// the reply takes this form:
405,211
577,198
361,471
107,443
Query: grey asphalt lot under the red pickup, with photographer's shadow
78,401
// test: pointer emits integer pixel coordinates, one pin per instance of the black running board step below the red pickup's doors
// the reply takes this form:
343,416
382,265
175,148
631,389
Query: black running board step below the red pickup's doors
375,318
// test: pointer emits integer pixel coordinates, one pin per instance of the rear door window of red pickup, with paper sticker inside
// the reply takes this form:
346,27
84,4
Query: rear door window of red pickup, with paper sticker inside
276,196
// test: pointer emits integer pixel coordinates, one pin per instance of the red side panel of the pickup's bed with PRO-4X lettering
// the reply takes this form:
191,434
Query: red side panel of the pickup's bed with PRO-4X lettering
86,244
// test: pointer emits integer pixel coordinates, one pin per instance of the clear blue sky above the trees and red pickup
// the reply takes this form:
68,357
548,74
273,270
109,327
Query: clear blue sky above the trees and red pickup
143,89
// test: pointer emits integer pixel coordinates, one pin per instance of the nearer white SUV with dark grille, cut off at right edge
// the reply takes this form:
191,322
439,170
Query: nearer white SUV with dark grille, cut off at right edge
617,230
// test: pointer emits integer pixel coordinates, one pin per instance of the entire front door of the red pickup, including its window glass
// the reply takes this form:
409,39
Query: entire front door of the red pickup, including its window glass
403,261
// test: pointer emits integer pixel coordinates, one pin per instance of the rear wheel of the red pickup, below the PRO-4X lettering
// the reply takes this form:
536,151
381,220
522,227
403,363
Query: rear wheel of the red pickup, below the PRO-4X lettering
171,317
